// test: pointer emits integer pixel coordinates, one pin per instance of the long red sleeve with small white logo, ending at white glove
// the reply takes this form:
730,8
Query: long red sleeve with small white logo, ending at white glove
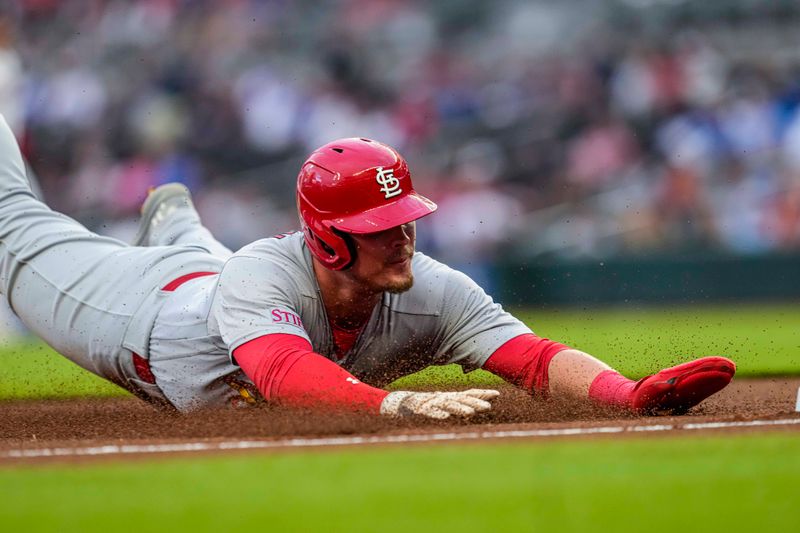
286,370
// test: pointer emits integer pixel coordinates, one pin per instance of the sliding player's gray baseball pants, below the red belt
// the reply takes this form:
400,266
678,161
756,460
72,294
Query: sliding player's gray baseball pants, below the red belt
92,298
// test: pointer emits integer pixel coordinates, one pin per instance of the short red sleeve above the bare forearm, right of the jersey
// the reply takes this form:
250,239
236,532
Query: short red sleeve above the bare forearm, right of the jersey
524,361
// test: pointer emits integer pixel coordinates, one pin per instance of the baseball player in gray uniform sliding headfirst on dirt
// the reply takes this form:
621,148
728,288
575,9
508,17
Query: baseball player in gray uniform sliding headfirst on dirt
321,318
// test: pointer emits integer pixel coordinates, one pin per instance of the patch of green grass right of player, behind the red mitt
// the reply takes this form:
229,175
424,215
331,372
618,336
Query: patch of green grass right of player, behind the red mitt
762,339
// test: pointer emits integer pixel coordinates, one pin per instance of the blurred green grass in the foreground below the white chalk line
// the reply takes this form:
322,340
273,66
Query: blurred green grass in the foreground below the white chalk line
720,483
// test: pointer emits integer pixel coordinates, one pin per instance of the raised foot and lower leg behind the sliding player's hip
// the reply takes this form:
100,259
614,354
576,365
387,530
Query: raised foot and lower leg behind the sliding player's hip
169,218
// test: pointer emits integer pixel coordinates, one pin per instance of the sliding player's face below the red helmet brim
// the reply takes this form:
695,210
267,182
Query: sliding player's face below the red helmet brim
383,259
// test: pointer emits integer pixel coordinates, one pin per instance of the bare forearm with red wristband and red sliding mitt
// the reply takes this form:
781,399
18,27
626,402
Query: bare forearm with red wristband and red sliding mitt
673,390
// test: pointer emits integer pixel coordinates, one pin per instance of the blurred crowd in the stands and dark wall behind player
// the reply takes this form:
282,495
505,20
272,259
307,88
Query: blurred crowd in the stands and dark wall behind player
580,151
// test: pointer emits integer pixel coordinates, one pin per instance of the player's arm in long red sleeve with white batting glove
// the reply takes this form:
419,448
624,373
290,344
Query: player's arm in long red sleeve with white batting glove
287,371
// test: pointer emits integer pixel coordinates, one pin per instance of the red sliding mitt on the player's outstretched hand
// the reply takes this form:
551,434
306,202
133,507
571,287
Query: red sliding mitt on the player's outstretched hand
675,390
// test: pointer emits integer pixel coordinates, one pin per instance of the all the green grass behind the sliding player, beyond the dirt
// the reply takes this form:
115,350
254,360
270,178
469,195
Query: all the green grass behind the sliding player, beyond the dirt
762,339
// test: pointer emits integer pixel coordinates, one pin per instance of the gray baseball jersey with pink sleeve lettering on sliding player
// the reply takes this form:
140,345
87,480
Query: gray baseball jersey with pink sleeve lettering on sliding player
269,287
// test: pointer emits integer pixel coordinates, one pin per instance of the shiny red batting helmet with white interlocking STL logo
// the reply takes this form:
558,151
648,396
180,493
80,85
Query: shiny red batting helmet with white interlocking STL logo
354,186
